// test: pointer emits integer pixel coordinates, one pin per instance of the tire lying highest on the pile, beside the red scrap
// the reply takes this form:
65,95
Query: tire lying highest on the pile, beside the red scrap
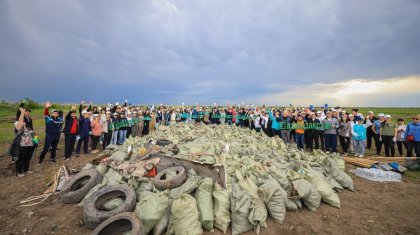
173,182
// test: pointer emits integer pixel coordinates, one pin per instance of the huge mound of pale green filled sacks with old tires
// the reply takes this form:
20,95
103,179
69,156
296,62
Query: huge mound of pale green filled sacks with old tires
185,178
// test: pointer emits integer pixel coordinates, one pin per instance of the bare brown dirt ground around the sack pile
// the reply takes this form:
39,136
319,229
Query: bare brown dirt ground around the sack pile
374,208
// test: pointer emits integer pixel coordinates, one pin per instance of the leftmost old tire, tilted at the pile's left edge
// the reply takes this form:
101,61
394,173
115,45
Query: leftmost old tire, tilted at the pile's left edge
79,185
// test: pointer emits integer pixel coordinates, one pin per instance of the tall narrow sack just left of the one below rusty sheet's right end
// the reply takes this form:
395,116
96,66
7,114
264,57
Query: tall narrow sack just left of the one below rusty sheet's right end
203,196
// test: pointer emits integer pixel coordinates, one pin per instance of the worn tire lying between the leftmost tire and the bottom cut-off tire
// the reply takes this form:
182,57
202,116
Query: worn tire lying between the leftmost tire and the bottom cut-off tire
93,216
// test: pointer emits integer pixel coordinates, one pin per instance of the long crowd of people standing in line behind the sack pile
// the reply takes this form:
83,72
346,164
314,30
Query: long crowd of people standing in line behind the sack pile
309,128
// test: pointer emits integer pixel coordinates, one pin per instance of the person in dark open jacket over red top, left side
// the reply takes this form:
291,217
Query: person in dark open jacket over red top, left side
71,130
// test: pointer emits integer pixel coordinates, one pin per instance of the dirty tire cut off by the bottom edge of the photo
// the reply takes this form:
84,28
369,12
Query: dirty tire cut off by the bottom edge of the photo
119,224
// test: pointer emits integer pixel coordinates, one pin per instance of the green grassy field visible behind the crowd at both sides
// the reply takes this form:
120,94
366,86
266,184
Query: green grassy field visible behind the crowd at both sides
8,115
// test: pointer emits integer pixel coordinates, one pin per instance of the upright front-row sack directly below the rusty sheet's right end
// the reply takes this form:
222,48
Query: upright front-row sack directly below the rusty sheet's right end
221,208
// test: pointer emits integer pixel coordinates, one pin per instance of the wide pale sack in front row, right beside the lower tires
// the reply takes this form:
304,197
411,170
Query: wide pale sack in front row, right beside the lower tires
151,209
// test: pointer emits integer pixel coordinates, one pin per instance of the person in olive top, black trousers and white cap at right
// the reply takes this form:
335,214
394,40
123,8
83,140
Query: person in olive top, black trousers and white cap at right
388,136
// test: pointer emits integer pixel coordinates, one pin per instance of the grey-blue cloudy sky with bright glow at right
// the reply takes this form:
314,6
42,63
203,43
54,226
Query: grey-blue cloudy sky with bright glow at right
360,53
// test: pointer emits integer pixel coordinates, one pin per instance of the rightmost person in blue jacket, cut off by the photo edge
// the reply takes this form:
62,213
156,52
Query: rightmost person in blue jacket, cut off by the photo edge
412,136
